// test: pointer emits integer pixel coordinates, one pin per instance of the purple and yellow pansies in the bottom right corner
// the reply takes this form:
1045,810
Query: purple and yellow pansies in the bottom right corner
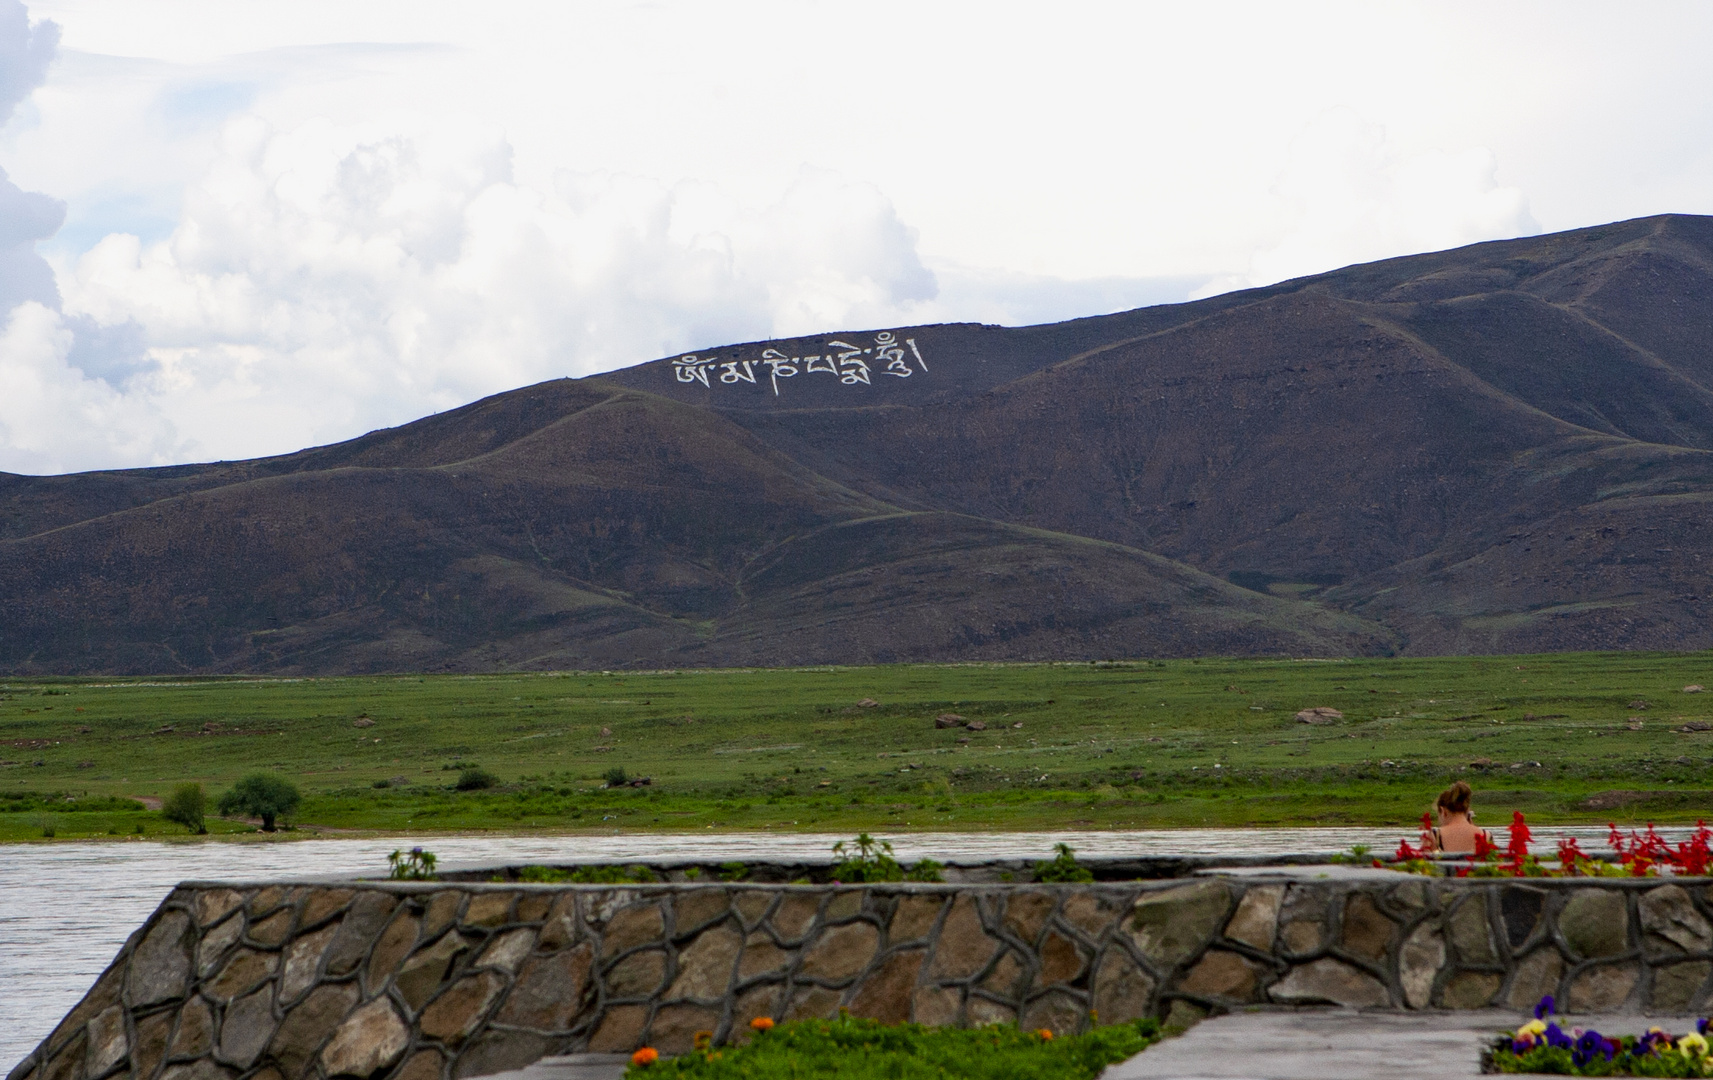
1543,1047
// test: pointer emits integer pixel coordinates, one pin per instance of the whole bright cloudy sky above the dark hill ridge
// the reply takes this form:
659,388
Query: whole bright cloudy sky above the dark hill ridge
234,229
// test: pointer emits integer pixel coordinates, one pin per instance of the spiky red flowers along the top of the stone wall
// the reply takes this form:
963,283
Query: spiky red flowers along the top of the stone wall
1633,856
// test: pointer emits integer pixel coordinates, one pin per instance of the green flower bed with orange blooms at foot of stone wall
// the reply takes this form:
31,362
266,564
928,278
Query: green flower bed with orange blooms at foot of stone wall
866,1050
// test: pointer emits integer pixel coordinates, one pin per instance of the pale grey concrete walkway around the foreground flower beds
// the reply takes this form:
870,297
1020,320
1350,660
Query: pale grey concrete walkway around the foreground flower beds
1274,1045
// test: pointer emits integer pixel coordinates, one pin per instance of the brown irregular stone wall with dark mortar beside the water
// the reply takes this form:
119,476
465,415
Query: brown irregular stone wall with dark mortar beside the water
443,981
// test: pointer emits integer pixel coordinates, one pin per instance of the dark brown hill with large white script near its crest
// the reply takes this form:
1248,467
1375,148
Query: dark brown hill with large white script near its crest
1501,448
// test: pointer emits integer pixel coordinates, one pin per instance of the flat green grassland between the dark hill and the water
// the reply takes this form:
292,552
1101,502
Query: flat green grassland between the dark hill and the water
1126,745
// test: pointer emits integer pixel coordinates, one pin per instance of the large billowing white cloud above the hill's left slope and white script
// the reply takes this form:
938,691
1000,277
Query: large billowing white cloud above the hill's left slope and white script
330,280
